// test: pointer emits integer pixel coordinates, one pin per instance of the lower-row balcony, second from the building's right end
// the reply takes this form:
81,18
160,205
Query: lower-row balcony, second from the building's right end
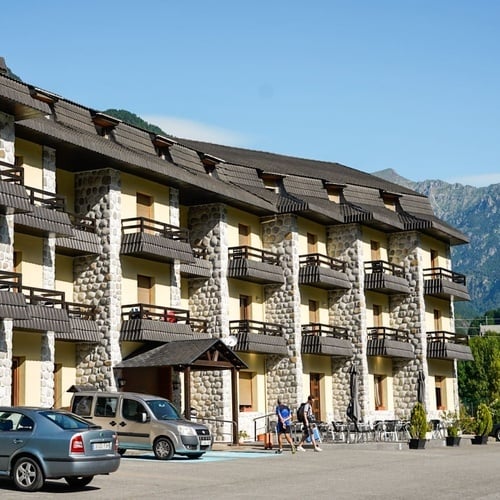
389,343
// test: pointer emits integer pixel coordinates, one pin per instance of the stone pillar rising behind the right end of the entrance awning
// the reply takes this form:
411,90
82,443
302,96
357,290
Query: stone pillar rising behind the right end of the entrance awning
209,298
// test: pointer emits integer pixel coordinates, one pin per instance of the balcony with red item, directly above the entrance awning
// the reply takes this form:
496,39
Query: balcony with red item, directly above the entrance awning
147,322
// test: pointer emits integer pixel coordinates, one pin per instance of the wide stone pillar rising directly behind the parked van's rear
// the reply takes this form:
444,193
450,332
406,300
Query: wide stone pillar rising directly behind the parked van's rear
98,278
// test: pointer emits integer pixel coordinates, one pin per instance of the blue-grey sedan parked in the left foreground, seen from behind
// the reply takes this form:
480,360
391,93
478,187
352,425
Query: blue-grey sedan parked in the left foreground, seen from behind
39,443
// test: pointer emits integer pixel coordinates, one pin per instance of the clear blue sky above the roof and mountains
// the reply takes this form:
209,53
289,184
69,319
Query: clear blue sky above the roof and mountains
373,84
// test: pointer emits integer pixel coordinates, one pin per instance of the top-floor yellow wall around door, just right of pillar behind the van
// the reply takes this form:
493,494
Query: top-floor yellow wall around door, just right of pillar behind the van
131,185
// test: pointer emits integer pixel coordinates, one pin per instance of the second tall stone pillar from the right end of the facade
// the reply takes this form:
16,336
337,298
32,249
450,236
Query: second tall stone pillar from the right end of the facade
347,309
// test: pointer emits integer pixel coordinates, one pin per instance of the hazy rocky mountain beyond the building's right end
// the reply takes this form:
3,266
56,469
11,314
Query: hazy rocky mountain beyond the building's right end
476,212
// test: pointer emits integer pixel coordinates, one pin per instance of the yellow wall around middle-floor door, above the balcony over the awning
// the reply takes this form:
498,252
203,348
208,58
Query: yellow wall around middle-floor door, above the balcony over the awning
132,266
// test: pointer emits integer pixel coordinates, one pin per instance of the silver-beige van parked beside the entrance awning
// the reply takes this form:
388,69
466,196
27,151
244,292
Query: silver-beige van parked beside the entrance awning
144,422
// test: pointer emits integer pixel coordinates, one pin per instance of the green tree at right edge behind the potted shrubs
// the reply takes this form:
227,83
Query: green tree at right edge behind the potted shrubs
479,380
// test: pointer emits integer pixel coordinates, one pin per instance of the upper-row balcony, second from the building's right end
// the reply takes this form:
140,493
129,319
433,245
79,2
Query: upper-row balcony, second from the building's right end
383,277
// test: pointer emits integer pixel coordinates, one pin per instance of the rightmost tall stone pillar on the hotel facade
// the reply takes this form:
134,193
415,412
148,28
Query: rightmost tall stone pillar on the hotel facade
407,312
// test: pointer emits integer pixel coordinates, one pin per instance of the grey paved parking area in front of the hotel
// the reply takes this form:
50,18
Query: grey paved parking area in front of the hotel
361,471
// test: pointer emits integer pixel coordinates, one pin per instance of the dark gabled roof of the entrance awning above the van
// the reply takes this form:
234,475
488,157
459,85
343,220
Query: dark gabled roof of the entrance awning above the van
198,354
